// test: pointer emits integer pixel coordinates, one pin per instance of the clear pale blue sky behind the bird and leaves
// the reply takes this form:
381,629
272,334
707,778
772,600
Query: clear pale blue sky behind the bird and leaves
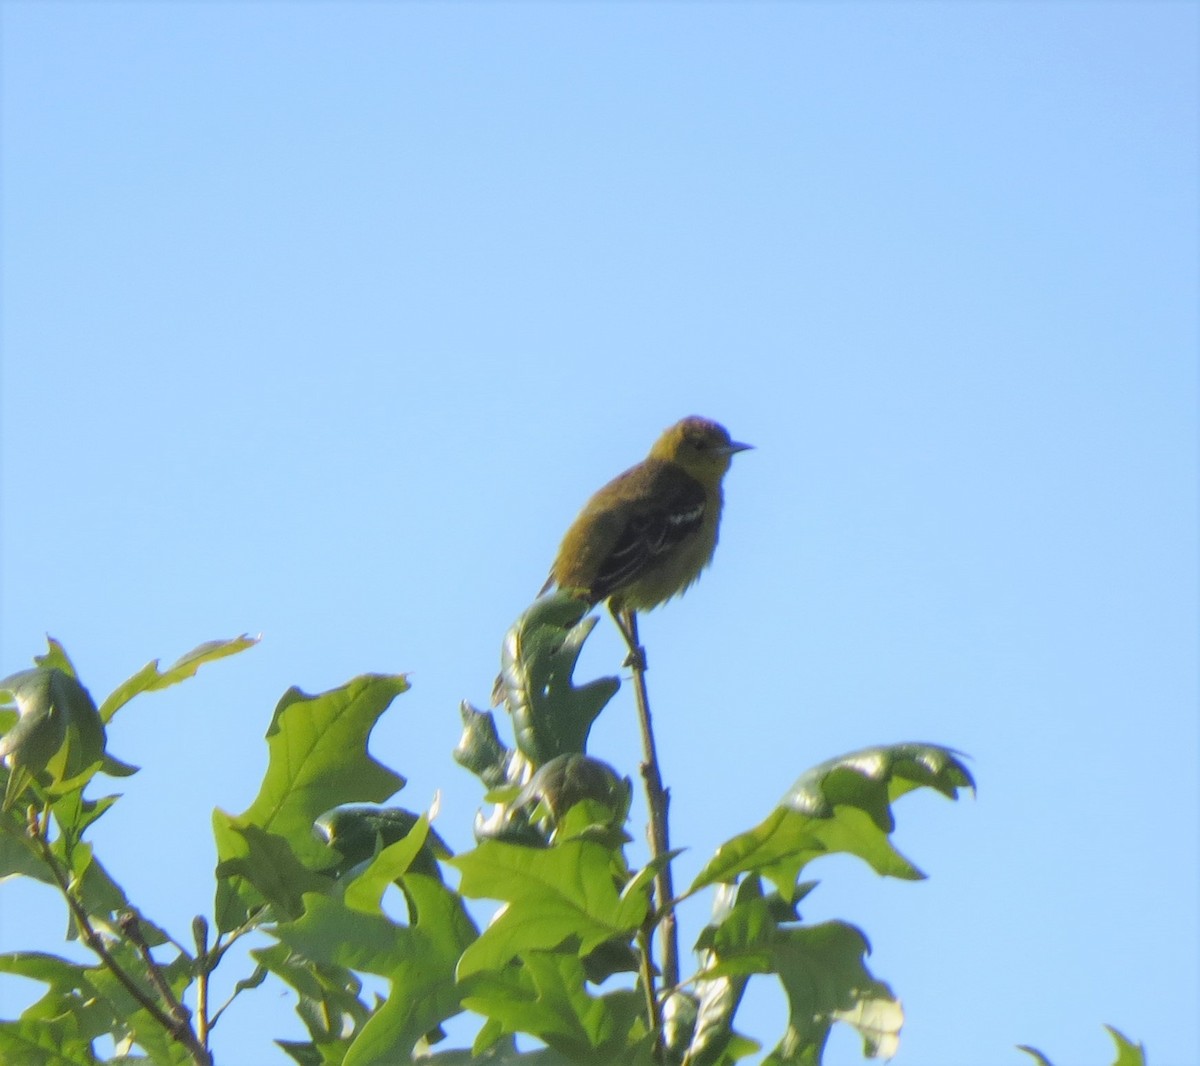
321,322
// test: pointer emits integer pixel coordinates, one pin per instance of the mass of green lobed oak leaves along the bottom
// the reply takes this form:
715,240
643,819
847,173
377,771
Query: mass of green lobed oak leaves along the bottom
352,894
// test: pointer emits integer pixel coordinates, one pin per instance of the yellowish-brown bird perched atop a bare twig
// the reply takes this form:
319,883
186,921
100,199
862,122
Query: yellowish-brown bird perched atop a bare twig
649,534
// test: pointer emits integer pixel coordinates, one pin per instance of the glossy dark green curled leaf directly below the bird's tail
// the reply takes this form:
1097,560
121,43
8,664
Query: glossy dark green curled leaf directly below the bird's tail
551,716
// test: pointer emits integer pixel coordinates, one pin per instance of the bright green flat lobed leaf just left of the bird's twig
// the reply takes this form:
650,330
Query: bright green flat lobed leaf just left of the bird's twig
554,895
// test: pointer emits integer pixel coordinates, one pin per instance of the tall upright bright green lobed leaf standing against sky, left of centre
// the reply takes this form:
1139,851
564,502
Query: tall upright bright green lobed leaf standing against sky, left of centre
317,760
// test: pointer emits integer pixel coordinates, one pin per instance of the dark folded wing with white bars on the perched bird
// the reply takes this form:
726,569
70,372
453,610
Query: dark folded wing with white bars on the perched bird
650,532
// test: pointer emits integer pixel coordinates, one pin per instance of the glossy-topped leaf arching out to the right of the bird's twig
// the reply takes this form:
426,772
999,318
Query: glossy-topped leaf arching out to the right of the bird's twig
842,806
